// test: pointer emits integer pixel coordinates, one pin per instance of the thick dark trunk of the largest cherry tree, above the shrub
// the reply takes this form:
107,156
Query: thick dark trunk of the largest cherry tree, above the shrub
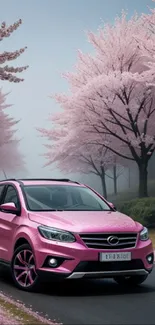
143,175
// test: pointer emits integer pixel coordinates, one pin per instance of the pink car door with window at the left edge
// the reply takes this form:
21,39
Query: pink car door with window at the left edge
8,222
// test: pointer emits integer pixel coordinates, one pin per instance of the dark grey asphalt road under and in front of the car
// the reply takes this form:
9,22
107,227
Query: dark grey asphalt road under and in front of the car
90,302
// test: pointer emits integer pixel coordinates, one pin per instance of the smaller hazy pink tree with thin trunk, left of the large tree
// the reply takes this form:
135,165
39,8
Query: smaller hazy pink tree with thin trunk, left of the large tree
76,155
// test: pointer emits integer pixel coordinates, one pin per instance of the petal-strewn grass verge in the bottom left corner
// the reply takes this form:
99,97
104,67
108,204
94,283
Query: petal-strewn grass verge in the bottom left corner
20,313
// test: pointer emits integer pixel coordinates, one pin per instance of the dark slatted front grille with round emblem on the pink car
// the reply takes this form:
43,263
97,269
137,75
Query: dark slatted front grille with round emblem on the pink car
101,241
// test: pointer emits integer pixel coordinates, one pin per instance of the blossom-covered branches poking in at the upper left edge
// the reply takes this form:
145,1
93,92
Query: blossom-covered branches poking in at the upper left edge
8,72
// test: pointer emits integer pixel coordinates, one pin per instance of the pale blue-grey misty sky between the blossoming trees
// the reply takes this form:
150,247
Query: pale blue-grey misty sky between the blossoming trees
52,30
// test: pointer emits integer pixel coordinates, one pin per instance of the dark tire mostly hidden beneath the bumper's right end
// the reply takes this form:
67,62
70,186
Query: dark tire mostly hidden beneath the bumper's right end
133,280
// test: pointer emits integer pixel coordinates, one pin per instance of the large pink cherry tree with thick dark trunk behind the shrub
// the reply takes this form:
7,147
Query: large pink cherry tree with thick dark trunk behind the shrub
123,109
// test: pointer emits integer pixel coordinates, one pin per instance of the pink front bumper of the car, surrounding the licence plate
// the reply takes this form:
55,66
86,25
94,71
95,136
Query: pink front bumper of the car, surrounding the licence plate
78,261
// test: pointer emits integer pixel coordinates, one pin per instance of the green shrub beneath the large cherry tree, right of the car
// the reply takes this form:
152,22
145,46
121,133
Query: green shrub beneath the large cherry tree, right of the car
141,210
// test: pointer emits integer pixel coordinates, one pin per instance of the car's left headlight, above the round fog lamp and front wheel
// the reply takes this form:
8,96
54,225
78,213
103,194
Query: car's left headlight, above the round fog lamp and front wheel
56,234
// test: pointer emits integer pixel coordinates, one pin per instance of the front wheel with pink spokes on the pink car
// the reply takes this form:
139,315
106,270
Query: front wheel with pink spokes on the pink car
23,273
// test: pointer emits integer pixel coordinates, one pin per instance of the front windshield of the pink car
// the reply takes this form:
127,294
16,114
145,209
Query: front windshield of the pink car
62,198
